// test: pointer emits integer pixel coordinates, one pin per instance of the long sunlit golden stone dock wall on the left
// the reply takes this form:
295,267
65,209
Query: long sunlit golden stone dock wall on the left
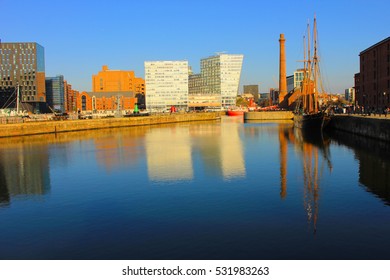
45,127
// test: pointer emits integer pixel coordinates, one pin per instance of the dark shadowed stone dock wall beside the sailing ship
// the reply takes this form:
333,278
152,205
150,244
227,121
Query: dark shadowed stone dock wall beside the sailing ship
373,127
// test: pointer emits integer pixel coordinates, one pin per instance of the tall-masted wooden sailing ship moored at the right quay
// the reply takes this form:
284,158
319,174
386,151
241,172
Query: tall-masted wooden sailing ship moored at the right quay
307,114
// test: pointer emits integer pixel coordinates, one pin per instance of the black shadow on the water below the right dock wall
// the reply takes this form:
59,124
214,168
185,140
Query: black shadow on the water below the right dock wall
374,162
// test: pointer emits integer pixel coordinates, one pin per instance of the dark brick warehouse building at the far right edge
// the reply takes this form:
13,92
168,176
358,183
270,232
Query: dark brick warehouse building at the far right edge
372,84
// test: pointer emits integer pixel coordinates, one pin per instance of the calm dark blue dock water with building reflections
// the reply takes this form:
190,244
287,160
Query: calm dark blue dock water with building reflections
213,190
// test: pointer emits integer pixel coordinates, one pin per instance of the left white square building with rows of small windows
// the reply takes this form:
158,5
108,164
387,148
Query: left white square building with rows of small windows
166,84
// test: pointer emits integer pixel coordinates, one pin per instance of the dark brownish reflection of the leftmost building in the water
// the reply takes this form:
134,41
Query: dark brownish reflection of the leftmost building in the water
24,170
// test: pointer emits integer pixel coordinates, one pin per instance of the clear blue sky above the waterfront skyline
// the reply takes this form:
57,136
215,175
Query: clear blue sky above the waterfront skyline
81,36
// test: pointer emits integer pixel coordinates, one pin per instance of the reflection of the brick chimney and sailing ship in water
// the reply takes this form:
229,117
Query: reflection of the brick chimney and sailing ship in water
314,150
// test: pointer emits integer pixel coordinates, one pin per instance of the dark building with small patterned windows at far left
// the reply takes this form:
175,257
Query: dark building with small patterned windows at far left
22,65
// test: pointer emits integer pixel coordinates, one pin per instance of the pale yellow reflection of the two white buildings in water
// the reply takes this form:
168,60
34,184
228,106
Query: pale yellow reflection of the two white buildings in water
170,150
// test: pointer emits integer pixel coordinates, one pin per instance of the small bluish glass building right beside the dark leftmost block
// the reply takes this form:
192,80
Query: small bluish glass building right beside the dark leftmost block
55,93
